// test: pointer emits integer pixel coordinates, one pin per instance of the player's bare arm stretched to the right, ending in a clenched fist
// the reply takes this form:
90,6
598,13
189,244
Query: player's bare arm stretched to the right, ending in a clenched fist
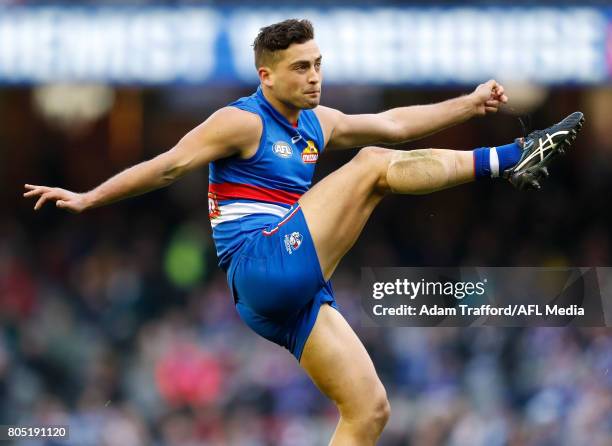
407,123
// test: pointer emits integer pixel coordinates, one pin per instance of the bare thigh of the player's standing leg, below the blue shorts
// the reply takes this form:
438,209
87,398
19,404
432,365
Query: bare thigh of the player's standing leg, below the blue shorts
338,363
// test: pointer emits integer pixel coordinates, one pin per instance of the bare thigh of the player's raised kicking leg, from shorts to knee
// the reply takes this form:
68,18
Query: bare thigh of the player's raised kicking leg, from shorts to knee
338,207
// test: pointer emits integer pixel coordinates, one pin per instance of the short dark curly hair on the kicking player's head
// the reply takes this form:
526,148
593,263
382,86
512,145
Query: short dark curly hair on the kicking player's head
280,36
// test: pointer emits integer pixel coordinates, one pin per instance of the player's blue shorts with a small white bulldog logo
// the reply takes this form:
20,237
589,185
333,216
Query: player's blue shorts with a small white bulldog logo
277,283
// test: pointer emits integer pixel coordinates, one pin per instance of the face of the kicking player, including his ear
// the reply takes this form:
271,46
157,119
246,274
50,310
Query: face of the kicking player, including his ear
295,77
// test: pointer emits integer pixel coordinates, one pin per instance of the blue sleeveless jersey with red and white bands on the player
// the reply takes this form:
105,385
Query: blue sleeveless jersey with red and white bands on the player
247,195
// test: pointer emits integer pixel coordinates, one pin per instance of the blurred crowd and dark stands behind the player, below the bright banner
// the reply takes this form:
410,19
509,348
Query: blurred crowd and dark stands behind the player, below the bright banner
119,324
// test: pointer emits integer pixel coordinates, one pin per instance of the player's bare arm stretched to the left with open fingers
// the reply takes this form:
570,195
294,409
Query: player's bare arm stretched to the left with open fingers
213,139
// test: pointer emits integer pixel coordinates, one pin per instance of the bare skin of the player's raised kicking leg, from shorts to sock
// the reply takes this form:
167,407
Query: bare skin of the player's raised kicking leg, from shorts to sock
337,208
